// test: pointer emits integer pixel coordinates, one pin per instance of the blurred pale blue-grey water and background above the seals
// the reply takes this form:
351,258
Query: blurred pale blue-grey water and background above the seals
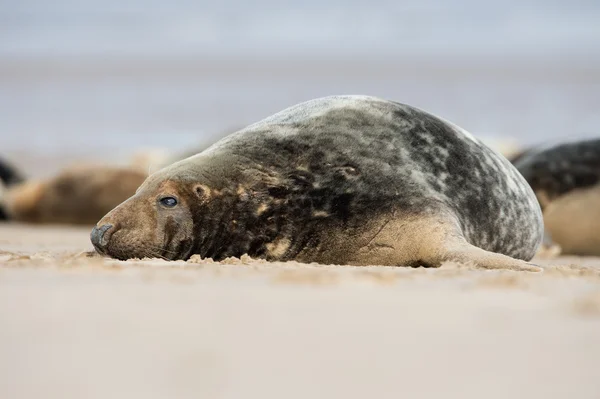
101,79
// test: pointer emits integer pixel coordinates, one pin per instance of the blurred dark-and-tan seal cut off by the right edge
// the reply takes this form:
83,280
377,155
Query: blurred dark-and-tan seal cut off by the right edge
566,181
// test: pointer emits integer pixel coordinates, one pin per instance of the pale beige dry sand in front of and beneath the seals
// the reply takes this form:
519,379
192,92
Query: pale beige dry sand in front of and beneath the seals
74,326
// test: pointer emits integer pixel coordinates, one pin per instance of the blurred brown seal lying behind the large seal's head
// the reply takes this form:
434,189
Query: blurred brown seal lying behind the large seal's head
77,195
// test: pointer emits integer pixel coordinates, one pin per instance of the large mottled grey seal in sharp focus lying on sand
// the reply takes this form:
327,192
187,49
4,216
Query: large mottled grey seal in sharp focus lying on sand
338,180
